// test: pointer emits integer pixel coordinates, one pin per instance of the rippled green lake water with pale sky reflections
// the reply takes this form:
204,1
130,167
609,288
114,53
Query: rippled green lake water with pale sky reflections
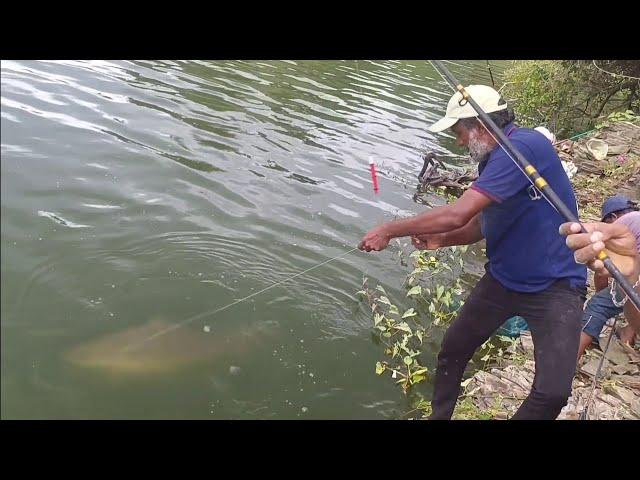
167,189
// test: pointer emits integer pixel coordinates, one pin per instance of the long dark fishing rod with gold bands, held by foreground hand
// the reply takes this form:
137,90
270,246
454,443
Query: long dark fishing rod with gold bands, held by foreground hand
525,166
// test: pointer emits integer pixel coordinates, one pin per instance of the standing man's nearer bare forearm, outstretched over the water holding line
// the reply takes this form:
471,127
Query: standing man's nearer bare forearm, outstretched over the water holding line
437,220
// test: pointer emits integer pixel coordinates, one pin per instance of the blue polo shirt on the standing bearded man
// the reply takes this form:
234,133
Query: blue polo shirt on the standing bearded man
526,253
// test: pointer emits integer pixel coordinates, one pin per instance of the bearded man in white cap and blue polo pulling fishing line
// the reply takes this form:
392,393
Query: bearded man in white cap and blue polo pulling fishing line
531,272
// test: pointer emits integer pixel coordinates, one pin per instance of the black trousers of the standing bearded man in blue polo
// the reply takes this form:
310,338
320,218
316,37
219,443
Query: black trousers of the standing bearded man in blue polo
554,317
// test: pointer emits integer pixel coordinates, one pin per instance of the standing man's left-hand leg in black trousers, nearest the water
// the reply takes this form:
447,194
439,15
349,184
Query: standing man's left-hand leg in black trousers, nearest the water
486,308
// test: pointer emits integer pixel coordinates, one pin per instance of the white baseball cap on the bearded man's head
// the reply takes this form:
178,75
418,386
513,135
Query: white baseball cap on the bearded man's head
486,97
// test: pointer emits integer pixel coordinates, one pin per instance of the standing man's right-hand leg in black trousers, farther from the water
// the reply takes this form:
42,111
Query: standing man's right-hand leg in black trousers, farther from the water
554,318
